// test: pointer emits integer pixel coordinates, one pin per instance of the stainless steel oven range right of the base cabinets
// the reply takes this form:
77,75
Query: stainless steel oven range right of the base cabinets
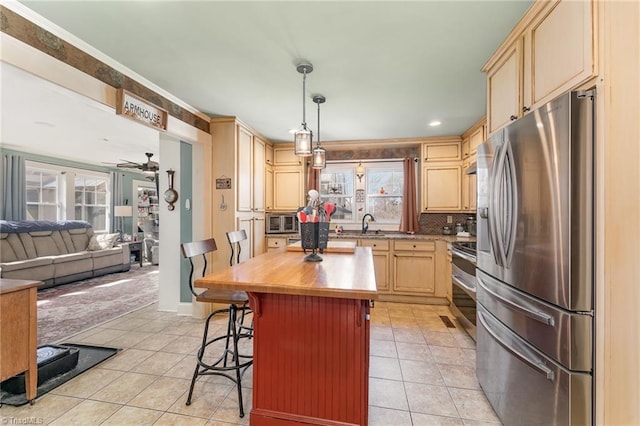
463,278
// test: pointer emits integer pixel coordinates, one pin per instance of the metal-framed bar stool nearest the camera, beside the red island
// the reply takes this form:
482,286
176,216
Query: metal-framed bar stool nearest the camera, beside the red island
229,362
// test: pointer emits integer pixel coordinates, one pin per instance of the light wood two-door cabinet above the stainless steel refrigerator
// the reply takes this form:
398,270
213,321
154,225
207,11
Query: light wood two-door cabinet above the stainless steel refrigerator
550,52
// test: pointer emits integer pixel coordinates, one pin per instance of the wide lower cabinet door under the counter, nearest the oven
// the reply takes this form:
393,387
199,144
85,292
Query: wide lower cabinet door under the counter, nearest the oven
414,272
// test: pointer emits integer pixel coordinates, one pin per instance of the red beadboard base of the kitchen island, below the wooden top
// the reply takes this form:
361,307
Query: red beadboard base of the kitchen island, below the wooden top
310,360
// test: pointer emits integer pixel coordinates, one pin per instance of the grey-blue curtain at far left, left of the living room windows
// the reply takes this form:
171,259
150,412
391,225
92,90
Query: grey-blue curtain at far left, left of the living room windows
14,188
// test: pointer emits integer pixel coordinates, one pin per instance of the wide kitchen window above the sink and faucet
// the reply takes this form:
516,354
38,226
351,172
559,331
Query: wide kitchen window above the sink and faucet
378,193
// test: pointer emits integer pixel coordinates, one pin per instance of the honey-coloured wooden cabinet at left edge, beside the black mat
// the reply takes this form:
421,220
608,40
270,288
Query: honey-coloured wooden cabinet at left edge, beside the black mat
18,332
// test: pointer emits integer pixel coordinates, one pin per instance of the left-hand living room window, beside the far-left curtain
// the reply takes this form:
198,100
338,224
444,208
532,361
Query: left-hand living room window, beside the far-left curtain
42,194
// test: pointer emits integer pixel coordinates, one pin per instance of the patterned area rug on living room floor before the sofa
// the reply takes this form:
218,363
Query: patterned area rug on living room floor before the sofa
72,308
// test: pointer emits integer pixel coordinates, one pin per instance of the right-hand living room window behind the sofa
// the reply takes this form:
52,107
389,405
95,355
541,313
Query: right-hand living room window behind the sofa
91,194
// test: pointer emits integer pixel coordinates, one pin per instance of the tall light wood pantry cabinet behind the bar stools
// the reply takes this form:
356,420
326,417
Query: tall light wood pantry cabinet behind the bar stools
239,156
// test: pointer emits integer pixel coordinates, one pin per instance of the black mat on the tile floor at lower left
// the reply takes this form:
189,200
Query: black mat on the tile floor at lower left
88,356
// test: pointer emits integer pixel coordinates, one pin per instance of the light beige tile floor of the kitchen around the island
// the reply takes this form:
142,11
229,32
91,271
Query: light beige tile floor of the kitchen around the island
421,373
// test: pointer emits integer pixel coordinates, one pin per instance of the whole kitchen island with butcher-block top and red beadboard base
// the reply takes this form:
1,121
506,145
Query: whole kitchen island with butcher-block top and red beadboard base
311,334
